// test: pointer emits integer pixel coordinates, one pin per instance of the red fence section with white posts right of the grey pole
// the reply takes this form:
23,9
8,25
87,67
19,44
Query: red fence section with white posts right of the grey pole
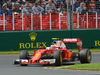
87,21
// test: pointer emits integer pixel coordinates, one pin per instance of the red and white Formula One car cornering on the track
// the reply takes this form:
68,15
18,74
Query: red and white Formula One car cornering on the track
56,54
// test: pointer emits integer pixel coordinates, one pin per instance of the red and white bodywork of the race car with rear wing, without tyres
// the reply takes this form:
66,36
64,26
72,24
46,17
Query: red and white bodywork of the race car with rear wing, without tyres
59,46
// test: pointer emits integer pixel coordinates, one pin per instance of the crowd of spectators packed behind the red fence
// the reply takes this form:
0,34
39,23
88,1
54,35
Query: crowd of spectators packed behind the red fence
48,6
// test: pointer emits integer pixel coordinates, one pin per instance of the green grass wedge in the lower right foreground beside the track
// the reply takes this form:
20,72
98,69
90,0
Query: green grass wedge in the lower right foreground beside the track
92,67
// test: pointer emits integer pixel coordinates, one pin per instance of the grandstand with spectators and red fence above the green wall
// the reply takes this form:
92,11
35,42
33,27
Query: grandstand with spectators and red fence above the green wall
21,15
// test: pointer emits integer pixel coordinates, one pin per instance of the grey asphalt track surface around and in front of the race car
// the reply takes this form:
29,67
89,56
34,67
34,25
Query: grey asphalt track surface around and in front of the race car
7,68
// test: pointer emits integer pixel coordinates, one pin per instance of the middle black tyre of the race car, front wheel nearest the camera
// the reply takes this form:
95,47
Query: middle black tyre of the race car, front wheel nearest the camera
58,57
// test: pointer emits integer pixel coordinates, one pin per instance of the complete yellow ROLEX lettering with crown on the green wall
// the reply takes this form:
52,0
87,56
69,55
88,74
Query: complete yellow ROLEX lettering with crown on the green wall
32,44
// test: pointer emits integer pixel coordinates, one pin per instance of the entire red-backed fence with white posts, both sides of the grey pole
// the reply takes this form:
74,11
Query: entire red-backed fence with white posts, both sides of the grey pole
23,22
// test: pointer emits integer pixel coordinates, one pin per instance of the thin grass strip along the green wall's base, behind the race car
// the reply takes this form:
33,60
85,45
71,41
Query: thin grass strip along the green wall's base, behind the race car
31,51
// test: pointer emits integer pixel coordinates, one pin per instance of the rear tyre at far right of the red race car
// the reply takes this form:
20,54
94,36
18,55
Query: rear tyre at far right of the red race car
85,56
